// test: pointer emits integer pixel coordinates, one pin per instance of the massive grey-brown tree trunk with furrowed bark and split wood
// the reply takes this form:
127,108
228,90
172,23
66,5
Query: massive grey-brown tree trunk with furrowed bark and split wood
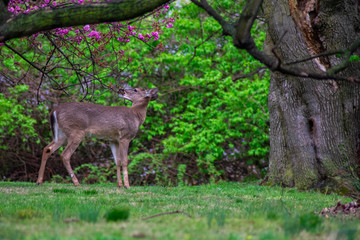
314,125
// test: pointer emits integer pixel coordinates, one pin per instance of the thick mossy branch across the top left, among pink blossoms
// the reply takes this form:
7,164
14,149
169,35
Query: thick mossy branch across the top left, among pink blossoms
74,15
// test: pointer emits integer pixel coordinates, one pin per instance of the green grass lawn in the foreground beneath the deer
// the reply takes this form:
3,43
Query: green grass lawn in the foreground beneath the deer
224,211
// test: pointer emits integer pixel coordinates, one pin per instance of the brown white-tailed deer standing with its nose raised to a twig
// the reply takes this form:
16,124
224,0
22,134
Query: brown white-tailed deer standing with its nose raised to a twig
120,124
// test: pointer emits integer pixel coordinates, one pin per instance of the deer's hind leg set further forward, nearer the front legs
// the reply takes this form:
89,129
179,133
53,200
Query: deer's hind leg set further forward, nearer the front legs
73,142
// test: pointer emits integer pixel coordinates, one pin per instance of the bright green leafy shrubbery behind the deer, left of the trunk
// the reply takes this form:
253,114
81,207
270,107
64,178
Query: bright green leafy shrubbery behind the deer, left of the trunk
209,124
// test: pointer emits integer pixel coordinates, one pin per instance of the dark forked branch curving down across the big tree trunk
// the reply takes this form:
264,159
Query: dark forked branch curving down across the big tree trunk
242,39
